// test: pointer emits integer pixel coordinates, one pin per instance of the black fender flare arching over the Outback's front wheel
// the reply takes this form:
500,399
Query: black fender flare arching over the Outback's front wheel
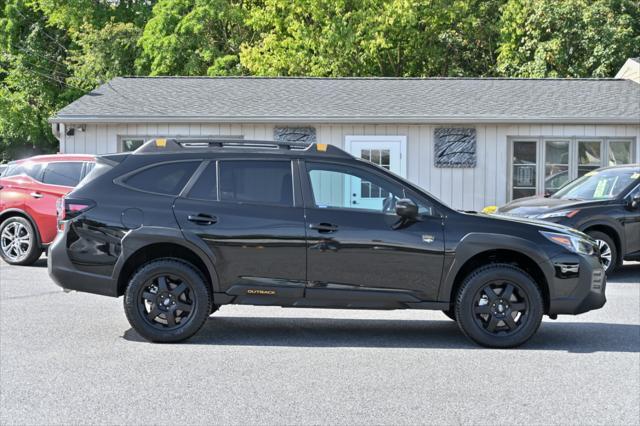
475,243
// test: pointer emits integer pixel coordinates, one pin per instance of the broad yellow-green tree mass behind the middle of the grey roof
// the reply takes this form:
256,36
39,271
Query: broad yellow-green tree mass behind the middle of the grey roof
373,38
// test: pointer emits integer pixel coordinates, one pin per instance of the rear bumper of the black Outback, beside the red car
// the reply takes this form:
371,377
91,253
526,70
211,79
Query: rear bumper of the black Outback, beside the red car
65,274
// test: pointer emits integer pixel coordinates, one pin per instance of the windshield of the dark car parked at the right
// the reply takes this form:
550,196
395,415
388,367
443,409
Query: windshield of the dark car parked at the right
599,185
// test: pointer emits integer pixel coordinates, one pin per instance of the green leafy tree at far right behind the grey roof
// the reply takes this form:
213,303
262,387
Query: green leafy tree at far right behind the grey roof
569,38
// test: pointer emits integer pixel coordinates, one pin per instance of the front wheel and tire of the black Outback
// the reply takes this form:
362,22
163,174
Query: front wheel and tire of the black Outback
500,320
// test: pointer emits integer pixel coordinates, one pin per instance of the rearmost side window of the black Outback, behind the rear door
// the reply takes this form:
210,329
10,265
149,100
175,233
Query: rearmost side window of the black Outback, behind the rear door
166,178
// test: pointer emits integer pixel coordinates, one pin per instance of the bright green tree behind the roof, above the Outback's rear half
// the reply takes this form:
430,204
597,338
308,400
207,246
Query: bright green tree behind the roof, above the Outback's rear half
194,37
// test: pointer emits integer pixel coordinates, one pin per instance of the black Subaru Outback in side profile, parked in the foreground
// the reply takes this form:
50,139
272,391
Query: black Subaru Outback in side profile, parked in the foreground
180,227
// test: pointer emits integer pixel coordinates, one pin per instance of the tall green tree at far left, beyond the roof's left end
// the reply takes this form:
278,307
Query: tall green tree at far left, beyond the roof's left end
32,79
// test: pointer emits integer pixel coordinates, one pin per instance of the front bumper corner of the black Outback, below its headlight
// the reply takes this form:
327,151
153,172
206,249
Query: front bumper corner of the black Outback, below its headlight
572,292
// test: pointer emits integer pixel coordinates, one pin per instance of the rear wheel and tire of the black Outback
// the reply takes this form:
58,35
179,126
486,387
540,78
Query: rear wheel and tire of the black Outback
155,294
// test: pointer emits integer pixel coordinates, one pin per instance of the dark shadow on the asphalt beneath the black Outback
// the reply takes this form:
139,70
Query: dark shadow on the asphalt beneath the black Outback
365,333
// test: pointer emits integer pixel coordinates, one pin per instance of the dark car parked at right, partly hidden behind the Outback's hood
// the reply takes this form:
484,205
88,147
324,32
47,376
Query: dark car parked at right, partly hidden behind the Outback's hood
603,203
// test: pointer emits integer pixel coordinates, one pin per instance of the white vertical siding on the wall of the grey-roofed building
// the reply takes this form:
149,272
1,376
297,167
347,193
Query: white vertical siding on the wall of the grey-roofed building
464,188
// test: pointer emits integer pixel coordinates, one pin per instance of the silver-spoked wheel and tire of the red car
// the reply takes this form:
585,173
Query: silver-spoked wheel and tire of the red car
19,244
